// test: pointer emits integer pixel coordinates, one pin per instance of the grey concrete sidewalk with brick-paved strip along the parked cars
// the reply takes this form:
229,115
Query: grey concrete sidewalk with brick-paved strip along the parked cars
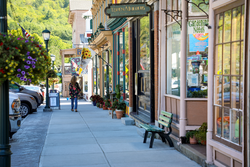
86,138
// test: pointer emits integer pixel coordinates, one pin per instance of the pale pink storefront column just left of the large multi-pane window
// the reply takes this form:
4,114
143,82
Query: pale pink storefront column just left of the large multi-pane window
210,85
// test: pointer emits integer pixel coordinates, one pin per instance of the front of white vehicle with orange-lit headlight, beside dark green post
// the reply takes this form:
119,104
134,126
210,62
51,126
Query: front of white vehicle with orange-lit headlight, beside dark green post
14,115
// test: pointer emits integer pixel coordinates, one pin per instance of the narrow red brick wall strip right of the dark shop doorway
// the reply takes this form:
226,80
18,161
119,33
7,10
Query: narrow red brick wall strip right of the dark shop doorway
156,59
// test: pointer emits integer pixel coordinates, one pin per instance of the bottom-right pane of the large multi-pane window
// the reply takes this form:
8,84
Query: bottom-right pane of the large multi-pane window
234,123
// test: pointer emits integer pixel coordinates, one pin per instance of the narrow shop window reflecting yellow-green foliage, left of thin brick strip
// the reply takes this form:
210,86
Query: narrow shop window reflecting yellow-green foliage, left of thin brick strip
126,63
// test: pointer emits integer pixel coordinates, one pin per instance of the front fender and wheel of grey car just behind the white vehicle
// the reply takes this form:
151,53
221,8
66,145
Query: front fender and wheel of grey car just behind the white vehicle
28,104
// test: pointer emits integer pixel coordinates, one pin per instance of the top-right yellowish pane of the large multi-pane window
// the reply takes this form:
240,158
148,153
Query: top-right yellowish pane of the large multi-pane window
236,23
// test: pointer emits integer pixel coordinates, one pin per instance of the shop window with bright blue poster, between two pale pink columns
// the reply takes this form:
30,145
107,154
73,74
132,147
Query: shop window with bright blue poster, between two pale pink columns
197,59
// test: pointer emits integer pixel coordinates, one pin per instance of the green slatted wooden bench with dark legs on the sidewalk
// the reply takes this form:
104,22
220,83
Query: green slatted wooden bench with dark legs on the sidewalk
165,120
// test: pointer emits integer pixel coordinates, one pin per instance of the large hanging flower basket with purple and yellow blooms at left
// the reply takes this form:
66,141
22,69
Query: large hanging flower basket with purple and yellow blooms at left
22,59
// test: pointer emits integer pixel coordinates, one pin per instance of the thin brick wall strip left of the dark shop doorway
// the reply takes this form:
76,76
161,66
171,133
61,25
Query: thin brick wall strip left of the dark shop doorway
130,68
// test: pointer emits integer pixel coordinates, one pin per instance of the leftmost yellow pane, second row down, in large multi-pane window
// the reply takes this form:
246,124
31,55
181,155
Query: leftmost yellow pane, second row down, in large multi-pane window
218,60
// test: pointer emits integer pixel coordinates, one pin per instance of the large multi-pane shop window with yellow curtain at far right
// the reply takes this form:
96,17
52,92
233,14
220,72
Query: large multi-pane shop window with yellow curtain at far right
228,75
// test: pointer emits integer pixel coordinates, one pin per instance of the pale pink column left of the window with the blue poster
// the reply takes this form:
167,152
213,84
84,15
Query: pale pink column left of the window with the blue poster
183,119
